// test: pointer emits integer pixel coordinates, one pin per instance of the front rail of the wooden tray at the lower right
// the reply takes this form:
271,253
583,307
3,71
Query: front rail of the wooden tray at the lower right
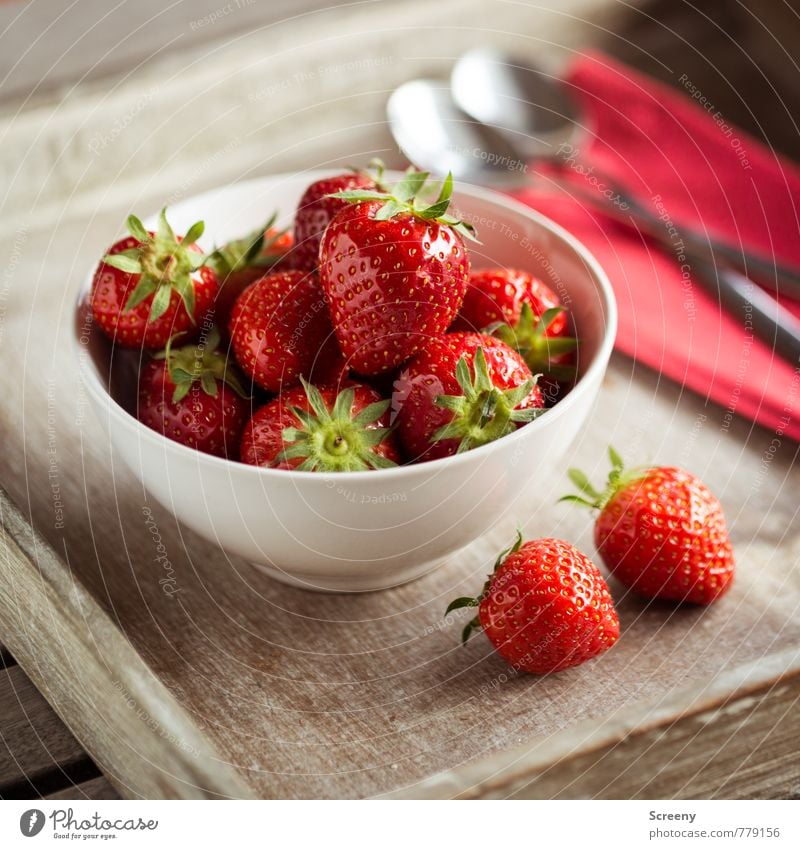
734,737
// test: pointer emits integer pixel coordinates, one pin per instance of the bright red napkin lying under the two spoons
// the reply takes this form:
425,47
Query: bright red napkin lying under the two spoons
690,165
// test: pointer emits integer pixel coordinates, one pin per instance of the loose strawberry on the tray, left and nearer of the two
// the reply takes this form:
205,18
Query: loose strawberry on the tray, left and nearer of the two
545,607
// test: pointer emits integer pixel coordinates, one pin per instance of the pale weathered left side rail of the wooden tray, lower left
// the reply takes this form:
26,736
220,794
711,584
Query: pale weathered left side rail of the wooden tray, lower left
142,719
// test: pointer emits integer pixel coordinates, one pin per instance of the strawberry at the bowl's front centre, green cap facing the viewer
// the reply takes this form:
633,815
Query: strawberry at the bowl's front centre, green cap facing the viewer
320,430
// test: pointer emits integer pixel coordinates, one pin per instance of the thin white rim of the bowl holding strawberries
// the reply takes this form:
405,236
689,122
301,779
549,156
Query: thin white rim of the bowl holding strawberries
599,363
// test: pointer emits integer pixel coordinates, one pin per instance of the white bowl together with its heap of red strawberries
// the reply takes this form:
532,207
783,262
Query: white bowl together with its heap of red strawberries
344,378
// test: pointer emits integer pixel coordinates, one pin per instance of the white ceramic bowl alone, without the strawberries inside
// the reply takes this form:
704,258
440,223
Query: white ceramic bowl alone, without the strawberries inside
364,530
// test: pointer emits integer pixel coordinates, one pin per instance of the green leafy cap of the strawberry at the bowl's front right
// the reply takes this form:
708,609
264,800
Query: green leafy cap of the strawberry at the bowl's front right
483,412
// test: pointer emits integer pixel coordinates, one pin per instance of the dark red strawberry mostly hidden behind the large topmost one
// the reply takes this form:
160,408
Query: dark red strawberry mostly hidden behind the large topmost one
317,208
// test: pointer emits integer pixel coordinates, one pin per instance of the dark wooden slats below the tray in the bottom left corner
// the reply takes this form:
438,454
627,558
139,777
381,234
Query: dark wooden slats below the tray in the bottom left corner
36,749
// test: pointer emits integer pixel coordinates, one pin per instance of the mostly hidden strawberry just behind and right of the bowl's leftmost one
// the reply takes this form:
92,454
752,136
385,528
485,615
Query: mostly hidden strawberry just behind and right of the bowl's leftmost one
240,262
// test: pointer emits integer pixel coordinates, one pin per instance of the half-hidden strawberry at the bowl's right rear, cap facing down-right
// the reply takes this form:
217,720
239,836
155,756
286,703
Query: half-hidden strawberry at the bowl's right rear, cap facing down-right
525,313
